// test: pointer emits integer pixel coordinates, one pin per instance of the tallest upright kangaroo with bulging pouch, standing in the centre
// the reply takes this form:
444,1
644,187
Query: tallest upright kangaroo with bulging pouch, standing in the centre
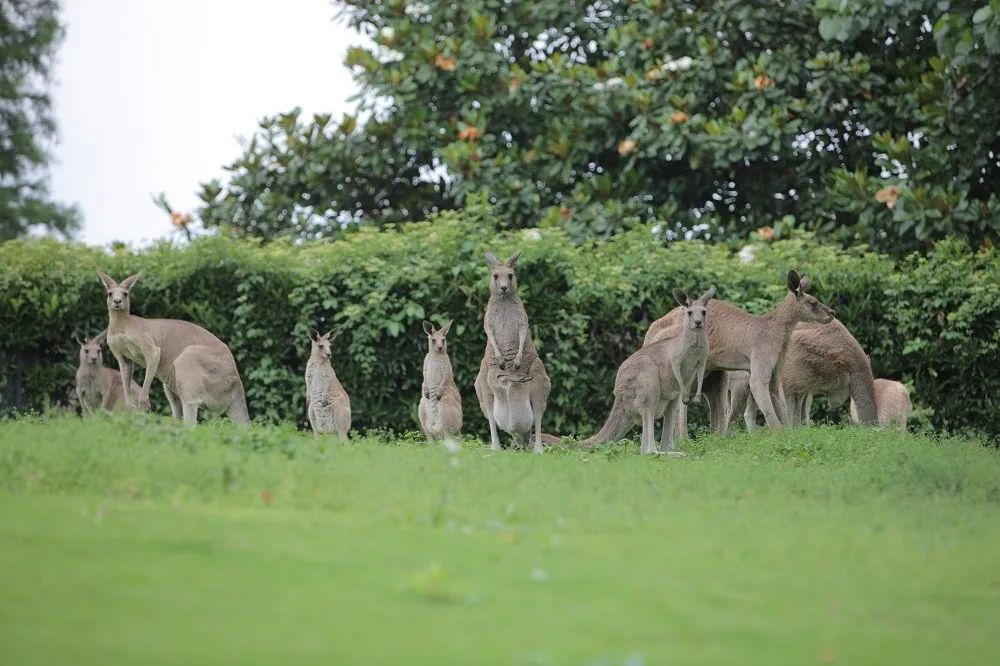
512,386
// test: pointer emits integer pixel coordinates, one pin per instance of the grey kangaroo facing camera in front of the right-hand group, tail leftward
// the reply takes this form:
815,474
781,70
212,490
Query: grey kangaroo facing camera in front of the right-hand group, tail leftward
658,377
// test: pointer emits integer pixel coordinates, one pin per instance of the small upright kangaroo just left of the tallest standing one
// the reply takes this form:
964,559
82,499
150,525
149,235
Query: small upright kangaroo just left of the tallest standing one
440,408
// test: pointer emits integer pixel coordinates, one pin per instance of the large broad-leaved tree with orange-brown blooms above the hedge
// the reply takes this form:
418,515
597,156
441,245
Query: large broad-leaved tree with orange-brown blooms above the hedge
868,123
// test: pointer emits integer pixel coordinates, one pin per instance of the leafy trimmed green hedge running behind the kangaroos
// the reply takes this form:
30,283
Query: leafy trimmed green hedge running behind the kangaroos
931,321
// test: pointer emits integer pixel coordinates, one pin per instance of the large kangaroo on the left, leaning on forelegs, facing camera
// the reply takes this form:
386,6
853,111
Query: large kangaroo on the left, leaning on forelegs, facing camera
197,369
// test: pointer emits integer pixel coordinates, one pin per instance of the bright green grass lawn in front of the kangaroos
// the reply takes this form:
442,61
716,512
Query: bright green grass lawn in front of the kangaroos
130,540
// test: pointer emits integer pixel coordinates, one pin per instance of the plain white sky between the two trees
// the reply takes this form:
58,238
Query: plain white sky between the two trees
150,96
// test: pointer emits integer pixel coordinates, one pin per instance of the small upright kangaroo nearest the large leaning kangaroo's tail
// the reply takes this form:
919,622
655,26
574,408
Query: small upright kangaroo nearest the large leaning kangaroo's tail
329,404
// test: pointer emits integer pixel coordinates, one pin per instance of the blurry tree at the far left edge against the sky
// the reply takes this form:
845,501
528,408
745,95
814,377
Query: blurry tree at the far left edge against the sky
29,35
